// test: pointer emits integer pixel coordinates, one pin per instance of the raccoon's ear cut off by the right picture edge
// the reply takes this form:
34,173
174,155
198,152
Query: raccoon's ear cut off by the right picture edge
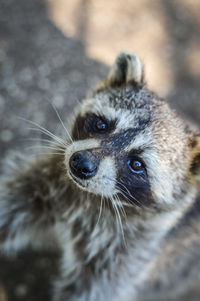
195,156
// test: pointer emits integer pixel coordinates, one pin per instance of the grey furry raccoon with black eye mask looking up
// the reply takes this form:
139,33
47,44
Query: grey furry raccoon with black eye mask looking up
118,200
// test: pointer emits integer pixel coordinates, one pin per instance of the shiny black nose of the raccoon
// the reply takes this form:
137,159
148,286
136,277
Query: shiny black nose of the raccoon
83,165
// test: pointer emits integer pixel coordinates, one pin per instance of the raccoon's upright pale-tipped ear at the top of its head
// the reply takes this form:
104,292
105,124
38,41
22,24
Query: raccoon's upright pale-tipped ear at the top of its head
126,69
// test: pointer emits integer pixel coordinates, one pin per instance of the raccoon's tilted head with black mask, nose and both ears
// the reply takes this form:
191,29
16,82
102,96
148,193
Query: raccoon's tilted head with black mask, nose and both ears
128,143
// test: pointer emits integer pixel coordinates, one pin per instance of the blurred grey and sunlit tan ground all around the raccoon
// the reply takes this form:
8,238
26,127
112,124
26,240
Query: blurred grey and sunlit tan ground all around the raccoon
54,51
